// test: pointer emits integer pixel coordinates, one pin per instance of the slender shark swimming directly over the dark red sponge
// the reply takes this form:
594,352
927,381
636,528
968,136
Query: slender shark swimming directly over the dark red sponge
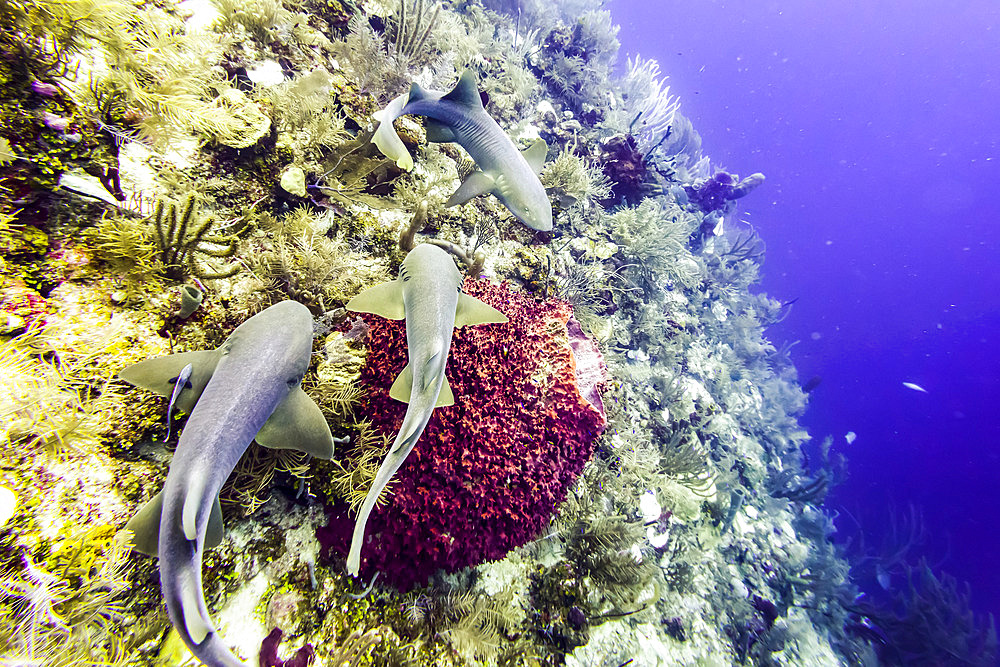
427,294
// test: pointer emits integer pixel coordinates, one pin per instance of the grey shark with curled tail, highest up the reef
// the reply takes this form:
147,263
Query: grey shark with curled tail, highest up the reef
459,116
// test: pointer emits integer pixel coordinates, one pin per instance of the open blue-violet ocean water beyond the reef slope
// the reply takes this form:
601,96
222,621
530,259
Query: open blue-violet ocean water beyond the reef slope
876,124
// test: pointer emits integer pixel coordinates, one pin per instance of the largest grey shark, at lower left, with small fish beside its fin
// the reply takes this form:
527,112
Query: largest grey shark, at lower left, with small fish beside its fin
247,388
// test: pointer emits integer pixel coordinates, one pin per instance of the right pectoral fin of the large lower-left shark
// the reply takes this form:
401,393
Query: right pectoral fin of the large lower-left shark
298,423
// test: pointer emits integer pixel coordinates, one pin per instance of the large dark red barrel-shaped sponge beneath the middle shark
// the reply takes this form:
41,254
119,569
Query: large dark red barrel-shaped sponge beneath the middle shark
489,471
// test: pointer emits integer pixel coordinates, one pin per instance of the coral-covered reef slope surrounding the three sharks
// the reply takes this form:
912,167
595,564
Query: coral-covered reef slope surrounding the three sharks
622,480
